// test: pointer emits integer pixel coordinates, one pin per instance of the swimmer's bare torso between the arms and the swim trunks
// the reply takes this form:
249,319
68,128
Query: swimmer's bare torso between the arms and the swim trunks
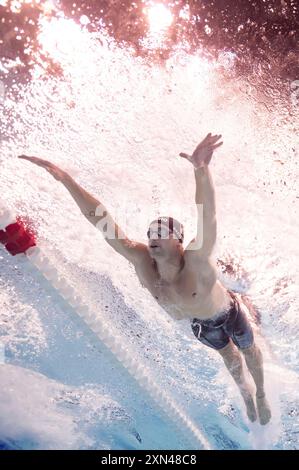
196,293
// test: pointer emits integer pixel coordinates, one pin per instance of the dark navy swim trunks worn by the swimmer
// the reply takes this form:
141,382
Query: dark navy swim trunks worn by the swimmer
233,323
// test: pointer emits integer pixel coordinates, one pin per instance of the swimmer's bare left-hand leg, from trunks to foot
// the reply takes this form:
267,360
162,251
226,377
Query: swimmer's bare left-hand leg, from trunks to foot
233,361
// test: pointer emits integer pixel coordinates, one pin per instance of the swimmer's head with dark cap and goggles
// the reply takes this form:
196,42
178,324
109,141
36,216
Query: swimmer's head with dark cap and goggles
162,242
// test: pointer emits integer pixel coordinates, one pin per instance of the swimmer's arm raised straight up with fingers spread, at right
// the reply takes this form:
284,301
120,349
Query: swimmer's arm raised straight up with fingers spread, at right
205,196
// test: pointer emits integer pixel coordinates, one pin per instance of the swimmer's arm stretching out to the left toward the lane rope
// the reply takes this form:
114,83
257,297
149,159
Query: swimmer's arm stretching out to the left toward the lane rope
95,212
